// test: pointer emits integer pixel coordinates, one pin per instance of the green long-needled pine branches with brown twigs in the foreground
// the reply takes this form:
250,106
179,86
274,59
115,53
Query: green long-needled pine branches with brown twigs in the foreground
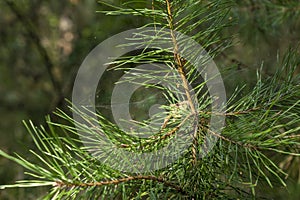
260,125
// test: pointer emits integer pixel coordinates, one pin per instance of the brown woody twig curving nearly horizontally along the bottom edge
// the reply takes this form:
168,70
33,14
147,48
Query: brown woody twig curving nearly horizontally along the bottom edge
122,180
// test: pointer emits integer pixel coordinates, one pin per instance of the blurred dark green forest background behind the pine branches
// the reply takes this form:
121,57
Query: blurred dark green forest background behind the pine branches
42,44
